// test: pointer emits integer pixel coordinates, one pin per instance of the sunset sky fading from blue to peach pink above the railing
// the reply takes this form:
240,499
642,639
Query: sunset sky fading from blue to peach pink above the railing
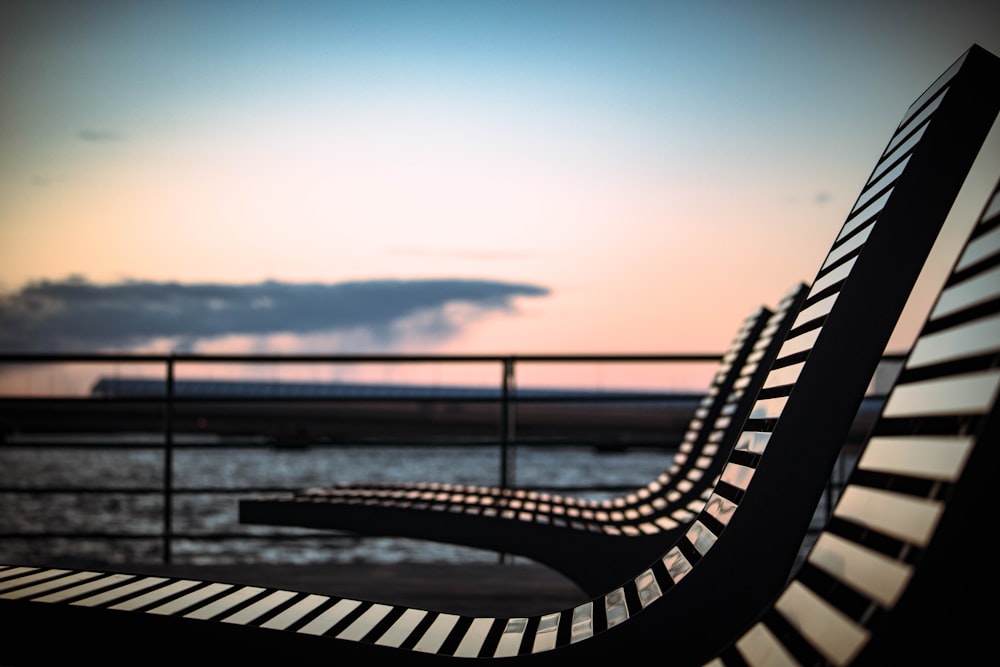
469,177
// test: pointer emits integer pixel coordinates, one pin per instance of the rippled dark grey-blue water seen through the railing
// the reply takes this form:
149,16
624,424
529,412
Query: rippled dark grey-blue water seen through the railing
226,468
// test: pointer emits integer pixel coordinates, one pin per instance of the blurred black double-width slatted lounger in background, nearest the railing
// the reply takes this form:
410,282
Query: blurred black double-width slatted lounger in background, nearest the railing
554,530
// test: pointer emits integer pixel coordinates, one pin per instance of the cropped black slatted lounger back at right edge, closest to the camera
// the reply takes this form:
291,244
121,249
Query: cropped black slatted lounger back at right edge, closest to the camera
900,572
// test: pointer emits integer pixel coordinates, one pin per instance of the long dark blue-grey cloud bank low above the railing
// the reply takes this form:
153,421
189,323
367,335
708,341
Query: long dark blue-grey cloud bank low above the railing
79,316
